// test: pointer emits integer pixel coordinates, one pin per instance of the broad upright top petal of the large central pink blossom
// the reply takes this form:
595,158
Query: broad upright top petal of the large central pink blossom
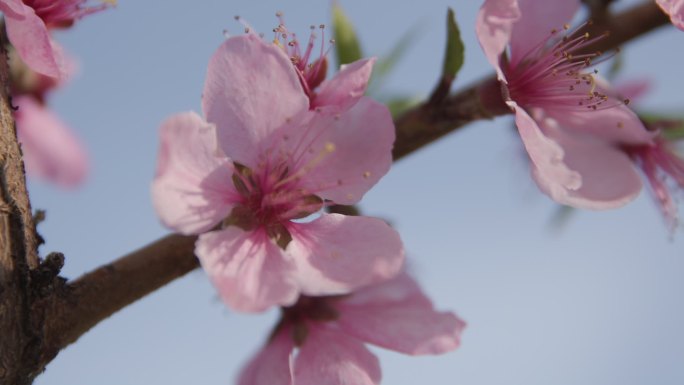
251,90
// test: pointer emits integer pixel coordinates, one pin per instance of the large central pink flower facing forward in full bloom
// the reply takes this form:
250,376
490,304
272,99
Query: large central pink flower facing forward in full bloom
266,159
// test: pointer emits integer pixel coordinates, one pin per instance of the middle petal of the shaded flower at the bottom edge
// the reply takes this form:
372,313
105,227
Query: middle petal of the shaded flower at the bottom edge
332,358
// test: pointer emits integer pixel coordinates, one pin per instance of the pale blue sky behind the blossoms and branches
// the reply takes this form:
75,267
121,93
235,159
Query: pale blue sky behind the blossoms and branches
596,301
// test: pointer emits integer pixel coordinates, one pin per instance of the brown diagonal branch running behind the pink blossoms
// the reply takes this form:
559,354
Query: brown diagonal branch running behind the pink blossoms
81,304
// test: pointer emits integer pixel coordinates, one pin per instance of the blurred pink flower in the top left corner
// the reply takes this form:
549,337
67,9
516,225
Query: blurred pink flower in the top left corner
28,25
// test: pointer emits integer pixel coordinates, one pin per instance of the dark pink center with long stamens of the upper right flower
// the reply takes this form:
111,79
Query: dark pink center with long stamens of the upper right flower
553,73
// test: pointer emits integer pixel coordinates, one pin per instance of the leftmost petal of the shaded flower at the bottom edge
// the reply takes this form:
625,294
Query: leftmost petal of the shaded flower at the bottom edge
271,366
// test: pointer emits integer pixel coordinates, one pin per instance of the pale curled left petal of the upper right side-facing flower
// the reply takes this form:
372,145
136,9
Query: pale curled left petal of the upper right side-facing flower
547,155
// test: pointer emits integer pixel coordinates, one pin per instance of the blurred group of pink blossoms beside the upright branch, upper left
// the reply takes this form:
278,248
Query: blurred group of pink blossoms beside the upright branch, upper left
38,65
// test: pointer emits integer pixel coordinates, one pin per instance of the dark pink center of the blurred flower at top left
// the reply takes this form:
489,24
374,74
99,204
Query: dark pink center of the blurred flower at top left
63,13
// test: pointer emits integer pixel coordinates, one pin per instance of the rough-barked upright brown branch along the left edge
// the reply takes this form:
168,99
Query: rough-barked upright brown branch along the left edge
19,343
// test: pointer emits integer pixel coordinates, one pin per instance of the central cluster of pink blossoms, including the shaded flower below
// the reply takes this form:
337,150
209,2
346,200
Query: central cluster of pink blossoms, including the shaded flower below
277,145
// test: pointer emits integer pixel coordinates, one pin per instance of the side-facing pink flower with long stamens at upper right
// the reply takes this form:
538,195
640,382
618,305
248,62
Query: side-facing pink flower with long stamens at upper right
571,124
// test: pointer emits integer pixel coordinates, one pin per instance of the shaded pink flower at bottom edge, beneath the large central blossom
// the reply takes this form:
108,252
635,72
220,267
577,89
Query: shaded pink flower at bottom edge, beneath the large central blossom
321,340
